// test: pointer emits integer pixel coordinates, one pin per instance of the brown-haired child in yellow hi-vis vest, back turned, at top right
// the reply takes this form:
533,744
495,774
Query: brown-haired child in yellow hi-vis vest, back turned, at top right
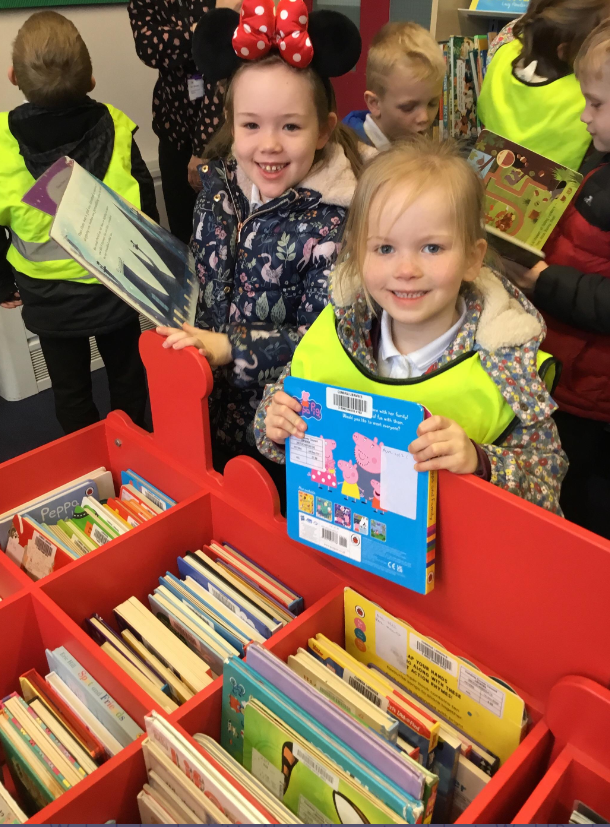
530,94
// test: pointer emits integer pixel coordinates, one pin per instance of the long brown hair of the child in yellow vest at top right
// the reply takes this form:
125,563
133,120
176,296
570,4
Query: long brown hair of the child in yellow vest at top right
549,24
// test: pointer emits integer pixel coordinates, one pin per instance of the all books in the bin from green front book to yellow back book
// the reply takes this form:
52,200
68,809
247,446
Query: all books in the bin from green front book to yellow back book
391,729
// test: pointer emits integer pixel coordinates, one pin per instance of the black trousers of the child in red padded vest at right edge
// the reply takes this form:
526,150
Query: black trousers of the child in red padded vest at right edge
585,493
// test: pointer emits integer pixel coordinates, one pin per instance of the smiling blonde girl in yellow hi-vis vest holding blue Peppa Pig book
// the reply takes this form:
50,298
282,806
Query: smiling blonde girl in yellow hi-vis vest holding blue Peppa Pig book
413,305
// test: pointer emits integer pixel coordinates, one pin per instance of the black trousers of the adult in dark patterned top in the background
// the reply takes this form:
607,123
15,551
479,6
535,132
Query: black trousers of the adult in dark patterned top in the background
178,194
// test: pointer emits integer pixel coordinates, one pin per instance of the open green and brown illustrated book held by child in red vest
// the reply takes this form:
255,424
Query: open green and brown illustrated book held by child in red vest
525,194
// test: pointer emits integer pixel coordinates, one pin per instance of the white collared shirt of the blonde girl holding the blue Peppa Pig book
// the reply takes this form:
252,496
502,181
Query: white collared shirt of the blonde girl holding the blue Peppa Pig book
394,365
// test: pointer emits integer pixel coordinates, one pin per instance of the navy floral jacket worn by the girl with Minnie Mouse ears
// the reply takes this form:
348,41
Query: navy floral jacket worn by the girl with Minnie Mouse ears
263,276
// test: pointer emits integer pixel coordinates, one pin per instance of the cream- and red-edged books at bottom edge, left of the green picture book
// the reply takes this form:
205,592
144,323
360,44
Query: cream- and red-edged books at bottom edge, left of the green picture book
205,786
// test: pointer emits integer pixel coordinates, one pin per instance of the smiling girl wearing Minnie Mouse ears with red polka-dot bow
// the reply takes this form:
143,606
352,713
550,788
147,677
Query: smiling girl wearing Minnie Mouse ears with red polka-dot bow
279,178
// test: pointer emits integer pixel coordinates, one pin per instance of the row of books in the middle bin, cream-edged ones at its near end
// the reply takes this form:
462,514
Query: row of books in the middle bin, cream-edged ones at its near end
177,646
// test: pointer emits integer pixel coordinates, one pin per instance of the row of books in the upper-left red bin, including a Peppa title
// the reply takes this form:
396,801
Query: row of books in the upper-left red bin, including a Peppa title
77,518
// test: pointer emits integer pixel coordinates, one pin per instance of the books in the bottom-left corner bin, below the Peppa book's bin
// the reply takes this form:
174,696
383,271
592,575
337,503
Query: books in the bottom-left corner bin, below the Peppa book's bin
58,731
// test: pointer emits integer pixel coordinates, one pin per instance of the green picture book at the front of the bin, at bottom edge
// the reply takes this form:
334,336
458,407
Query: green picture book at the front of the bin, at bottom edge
303,778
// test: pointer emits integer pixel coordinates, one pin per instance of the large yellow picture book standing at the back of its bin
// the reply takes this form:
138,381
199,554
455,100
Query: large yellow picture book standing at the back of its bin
482,707
